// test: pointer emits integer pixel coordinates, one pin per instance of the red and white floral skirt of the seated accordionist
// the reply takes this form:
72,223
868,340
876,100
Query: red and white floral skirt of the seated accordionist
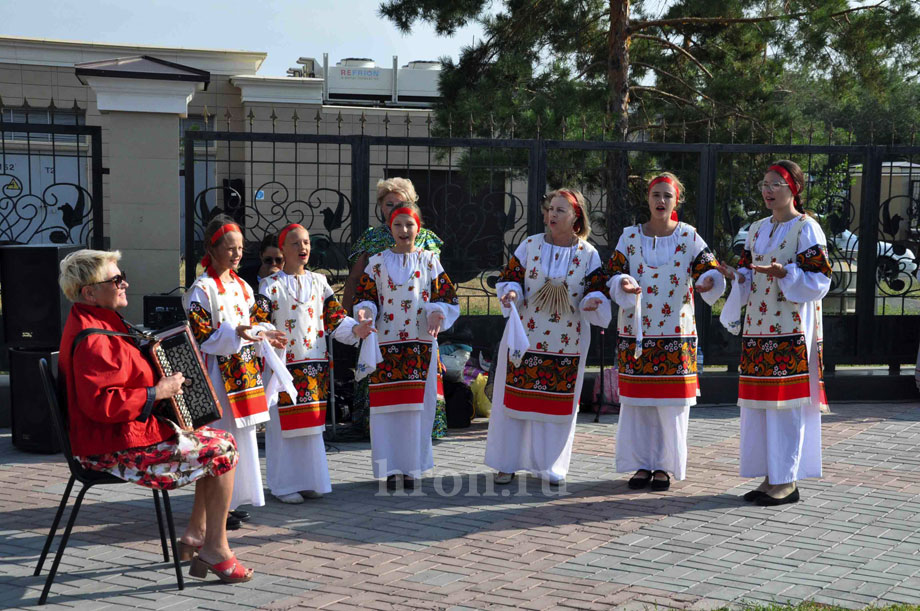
170,464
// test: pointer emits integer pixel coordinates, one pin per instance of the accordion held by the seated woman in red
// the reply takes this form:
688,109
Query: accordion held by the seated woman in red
174,350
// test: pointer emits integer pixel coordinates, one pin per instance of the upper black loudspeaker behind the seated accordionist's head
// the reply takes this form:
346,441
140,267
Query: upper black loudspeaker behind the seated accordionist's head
34,307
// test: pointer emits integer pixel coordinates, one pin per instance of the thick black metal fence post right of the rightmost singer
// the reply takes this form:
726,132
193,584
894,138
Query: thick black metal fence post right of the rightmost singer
867,257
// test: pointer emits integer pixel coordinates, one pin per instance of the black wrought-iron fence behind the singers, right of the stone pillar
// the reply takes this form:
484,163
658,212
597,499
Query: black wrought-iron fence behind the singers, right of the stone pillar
482,197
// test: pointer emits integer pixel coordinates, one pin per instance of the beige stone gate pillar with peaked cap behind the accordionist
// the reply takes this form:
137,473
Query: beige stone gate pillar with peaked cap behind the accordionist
141,100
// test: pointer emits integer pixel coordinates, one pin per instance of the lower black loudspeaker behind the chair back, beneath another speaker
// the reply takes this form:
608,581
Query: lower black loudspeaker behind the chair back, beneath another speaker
32,427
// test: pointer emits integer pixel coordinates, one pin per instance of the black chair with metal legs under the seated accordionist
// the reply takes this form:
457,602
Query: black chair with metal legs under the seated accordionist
89,479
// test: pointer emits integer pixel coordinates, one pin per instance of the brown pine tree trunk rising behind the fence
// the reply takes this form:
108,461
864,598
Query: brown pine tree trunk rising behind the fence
618,201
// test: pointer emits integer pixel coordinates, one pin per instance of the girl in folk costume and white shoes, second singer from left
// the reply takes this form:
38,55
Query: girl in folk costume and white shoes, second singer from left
302,303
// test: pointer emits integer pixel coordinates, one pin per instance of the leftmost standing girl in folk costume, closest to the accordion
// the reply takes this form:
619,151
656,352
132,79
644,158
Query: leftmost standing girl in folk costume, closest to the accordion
222,312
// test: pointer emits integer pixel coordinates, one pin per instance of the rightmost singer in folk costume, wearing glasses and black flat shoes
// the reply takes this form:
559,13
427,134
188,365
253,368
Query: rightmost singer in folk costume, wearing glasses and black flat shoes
780,281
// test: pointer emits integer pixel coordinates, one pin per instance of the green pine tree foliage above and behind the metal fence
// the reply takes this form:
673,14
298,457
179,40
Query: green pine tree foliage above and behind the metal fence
675,70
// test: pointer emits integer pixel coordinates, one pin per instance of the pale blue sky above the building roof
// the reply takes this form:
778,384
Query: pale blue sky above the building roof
285,29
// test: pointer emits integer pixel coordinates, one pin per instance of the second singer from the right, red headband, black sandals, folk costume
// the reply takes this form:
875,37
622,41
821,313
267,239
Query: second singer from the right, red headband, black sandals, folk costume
653,273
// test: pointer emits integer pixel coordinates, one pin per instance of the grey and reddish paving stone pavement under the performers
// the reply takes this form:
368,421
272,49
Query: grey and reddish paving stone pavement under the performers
459,542
